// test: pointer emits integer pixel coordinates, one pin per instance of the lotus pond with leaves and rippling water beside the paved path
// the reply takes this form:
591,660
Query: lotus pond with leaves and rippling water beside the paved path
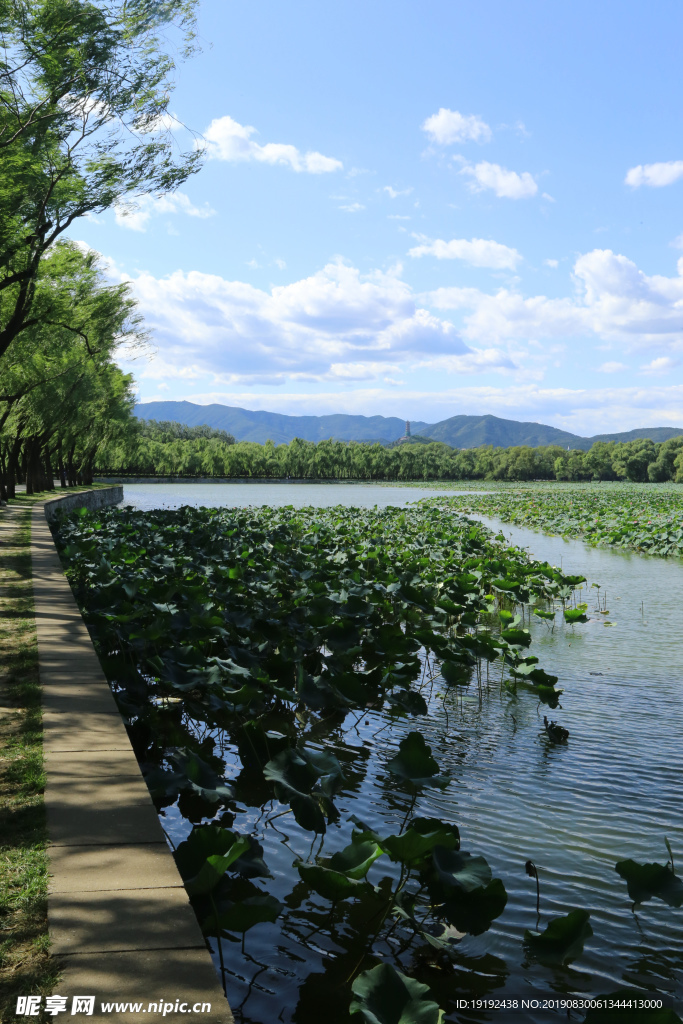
340,715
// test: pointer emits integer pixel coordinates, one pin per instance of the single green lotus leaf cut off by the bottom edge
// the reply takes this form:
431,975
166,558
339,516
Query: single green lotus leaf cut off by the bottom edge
386,997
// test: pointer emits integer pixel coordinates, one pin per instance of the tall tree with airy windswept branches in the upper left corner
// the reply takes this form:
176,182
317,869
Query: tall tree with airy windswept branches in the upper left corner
84,126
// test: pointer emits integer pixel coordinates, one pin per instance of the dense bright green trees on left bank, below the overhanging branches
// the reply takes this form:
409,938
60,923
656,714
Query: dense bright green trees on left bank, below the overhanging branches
62,395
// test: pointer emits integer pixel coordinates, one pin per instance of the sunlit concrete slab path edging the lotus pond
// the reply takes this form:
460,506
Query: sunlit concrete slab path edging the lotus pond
119,917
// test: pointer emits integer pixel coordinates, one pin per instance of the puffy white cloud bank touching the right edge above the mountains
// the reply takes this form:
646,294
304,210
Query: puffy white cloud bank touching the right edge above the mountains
615,301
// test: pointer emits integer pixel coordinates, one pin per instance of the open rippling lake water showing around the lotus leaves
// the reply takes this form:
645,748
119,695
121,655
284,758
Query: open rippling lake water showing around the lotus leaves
616,791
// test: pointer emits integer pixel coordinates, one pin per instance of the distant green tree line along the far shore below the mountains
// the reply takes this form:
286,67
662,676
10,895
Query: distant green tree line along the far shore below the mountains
150,449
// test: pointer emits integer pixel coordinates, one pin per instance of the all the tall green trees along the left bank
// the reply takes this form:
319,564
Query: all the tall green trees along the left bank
84,129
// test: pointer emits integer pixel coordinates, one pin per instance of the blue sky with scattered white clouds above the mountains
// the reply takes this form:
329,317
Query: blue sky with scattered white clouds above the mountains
422,210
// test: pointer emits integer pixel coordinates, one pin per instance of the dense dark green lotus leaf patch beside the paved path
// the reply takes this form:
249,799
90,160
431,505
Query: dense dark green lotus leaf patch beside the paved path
261,626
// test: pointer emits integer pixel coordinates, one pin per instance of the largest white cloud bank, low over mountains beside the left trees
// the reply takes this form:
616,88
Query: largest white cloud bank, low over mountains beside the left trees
336,325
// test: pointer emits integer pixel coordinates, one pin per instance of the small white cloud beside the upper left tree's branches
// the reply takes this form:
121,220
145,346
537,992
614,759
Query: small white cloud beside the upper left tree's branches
227,140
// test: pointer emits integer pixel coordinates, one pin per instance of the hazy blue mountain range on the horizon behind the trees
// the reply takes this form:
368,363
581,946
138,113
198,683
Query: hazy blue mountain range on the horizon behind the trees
458,432
